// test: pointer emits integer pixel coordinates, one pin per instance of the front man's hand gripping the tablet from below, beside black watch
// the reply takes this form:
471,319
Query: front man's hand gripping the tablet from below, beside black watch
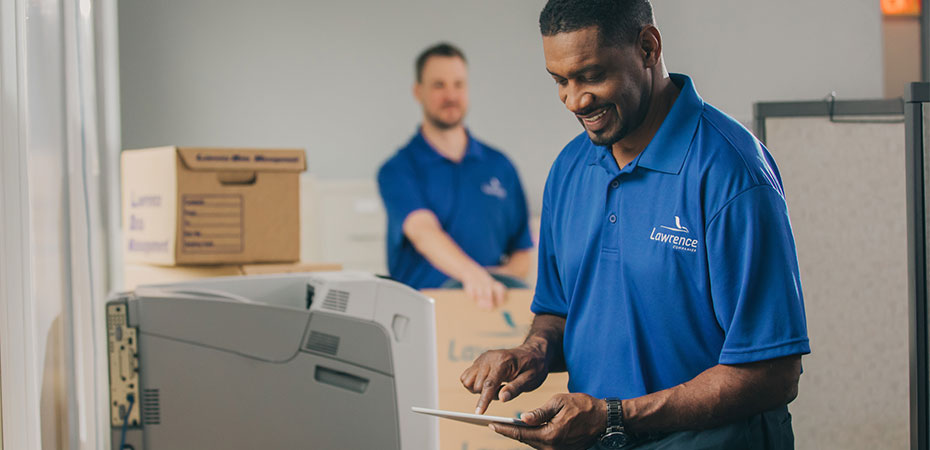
566,421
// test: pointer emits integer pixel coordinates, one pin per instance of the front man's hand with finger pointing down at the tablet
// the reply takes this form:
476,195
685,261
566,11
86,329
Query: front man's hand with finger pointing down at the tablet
522,369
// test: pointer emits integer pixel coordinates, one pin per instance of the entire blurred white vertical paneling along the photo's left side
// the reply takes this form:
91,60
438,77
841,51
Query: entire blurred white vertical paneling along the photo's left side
51,263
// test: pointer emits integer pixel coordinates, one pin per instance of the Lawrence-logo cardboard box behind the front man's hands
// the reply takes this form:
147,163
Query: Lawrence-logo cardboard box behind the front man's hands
463,332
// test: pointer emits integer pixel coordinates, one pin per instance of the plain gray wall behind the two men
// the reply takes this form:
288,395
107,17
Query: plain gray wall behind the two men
334,77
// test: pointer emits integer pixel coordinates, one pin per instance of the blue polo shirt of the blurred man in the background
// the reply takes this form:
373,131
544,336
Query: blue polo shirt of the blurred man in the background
479,203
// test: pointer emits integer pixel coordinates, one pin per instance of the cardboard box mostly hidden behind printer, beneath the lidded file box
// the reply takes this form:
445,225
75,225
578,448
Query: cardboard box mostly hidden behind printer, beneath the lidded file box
138,274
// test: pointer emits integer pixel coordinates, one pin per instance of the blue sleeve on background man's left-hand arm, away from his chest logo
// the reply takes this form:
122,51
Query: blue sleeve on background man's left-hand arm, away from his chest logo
401,194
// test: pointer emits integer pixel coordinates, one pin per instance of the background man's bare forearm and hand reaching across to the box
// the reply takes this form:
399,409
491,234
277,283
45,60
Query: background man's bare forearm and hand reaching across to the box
424,231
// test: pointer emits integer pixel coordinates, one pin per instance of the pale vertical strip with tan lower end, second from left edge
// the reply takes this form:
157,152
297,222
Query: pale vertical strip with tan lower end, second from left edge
47,180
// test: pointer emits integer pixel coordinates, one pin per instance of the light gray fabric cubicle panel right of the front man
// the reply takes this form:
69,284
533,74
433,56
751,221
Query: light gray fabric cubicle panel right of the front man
844,181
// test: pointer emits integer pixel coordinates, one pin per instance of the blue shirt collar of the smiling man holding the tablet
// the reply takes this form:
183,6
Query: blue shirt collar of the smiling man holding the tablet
667,150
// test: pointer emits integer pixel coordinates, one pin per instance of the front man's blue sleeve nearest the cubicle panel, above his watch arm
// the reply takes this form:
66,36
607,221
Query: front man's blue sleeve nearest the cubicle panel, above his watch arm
754,278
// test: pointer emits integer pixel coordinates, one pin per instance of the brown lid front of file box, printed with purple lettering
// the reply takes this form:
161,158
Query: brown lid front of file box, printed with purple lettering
253,159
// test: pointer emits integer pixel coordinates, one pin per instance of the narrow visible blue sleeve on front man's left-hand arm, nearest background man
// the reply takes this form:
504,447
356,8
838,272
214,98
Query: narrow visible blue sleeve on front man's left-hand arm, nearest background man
549,297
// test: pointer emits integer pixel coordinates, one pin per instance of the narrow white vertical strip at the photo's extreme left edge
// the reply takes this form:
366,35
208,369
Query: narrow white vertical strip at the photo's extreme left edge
17,316
